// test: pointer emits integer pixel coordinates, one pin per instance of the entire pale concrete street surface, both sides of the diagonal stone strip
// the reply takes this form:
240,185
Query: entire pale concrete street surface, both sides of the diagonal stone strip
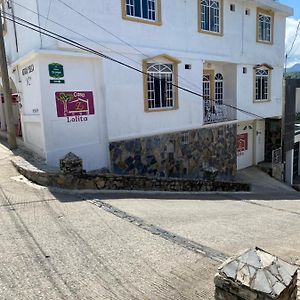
58,246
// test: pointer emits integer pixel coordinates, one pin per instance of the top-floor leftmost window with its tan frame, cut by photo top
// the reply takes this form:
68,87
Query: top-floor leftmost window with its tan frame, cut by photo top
146,11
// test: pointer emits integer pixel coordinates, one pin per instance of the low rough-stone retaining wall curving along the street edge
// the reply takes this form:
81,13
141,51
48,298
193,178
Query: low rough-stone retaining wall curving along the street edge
115,182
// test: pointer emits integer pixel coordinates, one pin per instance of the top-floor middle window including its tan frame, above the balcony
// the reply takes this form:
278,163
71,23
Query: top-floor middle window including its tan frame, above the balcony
211,16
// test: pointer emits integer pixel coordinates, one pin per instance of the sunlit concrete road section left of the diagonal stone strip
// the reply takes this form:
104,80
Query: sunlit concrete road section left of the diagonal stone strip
54,246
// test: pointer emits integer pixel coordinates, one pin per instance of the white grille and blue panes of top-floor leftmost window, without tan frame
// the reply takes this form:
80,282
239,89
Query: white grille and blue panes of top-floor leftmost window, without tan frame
144,9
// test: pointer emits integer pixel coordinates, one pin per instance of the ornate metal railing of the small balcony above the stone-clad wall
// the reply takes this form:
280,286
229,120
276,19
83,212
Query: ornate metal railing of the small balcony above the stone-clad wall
215,112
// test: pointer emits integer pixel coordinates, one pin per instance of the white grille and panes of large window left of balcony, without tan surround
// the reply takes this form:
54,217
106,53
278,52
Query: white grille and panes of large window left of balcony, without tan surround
160,86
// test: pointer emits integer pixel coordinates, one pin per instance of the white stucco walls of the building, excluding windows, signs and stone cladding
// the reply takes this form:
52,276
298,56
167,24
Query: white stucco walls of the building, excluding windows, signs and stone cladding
118,91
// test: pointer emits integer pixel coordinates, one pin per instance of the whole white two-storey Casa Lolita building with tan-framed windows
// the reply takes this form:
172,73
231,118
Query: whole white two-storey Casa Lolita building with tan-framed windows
232,52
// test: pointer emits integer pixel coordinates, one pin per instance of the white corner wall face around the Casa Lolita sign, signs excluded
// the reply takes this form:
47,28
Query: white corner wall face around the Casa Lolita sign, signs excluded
86,139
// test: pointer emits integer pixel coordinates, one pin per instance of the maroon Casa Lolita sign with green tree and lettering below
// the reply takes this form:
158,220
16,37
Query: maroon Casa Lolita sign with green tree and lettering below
75,106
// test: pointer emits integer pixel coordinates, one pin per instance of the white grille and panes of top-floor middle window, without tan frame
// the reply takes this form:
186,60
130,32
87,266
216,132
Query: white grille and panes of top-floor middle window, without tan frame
210,16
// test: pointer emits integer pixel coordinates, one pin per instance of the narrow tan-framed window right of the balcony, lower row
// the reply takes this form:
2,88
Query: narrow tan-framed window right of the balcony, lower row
262,83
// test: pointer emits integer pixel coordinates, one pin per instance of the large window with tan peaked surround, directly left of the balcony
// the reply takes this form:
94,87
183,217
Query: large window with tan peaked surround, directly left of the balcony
160,84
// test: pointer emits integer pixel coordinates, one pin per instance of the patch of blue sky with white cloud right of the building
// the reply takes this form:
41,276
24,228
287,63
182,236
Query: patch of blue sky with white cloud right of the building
292,23
